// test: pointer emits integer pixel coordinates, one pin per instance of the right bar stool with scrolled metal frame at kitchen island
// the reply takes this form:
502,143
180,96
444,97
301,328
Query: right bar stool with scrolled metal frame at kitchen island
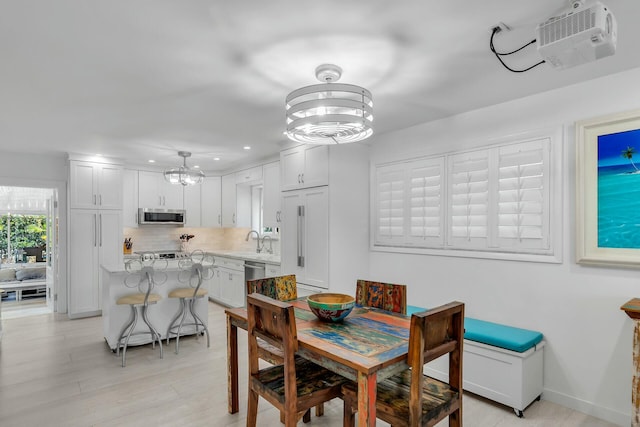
195,269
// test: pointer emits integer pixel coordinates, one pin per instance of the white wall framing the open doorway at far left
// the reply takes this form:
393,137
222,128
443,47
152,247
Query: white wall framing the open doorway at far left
34,170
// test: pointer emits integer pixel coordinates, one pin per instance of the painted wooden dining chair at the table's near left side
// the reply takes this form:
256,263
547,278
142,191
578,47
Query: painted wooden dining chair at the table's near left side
296,385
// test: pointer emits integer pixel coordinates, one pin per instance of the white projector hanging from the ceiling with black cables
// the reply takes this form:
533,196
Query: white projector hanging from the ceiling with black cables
584,33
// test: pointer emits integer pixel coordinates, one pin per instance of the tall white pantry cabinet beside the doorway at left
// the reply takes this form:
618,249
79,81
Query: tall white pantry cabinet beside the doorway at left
95,230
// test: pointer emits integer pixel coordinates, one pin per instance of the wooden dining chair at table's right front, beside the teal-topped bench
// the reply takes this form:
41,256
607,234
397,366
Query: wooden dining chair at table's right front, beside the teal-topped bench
412,398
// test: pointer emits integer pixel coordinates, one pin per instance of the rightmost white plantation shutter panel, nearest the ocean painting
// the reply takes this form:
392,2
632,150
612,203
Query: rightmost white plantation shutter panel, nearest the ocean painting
523,197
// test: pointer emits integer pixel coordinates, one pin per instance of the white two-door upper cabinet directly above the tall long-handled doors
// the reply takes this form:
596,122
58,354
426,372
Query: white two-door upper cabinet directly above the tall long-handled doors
304,166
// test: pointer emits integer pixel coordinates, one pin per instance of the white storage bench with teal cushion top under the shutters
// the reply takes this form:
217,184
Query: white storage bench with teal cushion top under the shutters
501,363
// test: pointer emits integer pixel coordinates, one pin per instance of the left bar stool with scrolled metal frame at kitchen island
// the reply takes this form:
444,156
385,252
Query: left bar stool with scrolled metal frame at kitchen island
142,277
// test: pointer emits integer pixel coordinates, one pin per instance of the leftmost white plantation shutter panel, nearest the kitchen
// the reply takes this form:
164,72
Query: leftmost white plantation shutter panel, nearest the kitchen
389,205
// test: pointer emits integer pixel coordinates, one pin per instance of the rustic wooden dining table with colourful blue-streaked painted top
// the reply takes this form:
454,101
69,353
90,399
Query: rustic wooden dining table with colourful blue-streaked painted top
368,346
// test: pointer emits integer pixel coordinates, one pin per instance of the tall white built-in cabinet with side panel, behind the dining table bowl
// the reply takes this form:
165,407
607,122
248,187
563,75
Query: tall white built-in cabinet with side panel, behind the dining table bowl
325,216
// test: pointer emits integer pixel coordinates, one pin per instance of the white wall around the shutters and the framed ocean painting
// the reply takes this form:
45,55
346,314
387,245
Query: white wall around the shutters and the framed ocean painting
588,363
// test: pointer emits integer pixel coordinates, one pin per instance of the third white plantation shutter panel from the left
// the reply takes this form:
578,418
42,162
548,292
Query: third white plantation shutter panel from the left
469,199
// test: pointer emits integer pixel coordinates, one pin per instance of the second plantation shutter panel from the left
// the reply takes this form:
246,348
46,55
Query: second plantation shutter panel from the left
426,203
